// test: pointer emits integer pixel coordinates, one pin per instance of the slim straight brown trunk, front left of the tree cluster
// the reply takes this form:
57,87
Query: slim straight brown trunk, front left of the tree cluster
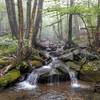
20,16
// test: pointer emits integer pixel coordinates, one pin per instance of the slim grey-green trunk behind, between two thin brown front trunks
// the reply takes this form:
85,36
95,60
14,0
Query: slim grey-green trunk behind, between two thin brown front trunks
28,17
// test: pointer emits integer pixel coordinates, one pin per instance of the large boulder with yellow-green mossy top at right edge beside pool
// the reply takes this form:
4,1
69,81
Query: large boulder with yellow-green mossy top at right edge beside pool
90,72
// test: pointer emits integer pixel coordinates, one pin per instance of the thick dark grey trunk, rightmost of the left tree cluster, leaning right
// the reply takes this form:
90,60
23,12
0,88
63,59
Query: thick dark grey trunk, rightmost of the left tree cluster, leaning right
37,21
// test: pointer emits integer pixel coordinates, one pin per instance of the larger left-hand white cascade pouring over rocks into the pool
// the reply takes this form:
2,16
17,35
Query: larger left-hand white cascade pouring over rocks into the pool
31,81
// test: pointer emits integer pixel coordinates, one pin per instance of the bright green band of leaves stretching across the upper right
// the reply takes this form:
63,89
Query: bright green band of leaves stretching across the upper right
76,9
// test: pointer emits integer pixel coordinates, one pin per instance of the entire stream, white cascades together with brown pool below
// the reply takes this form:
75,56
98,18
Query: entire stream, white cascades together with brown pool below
30,89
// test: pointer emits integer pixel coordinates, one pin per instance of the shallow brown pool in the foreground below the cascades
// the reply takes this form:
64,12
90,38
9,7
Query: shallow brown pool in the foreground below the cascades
63,91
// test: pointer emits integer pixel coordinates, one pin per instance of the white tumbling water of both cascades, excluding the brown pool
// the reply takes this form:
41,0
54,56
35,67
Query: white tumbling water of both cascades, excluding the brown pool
31,81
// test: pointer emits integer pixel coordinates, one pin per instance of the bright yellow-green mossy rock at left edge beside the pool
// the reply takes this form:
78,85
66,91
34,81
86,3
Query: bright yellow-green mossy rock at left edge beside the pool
9,77
